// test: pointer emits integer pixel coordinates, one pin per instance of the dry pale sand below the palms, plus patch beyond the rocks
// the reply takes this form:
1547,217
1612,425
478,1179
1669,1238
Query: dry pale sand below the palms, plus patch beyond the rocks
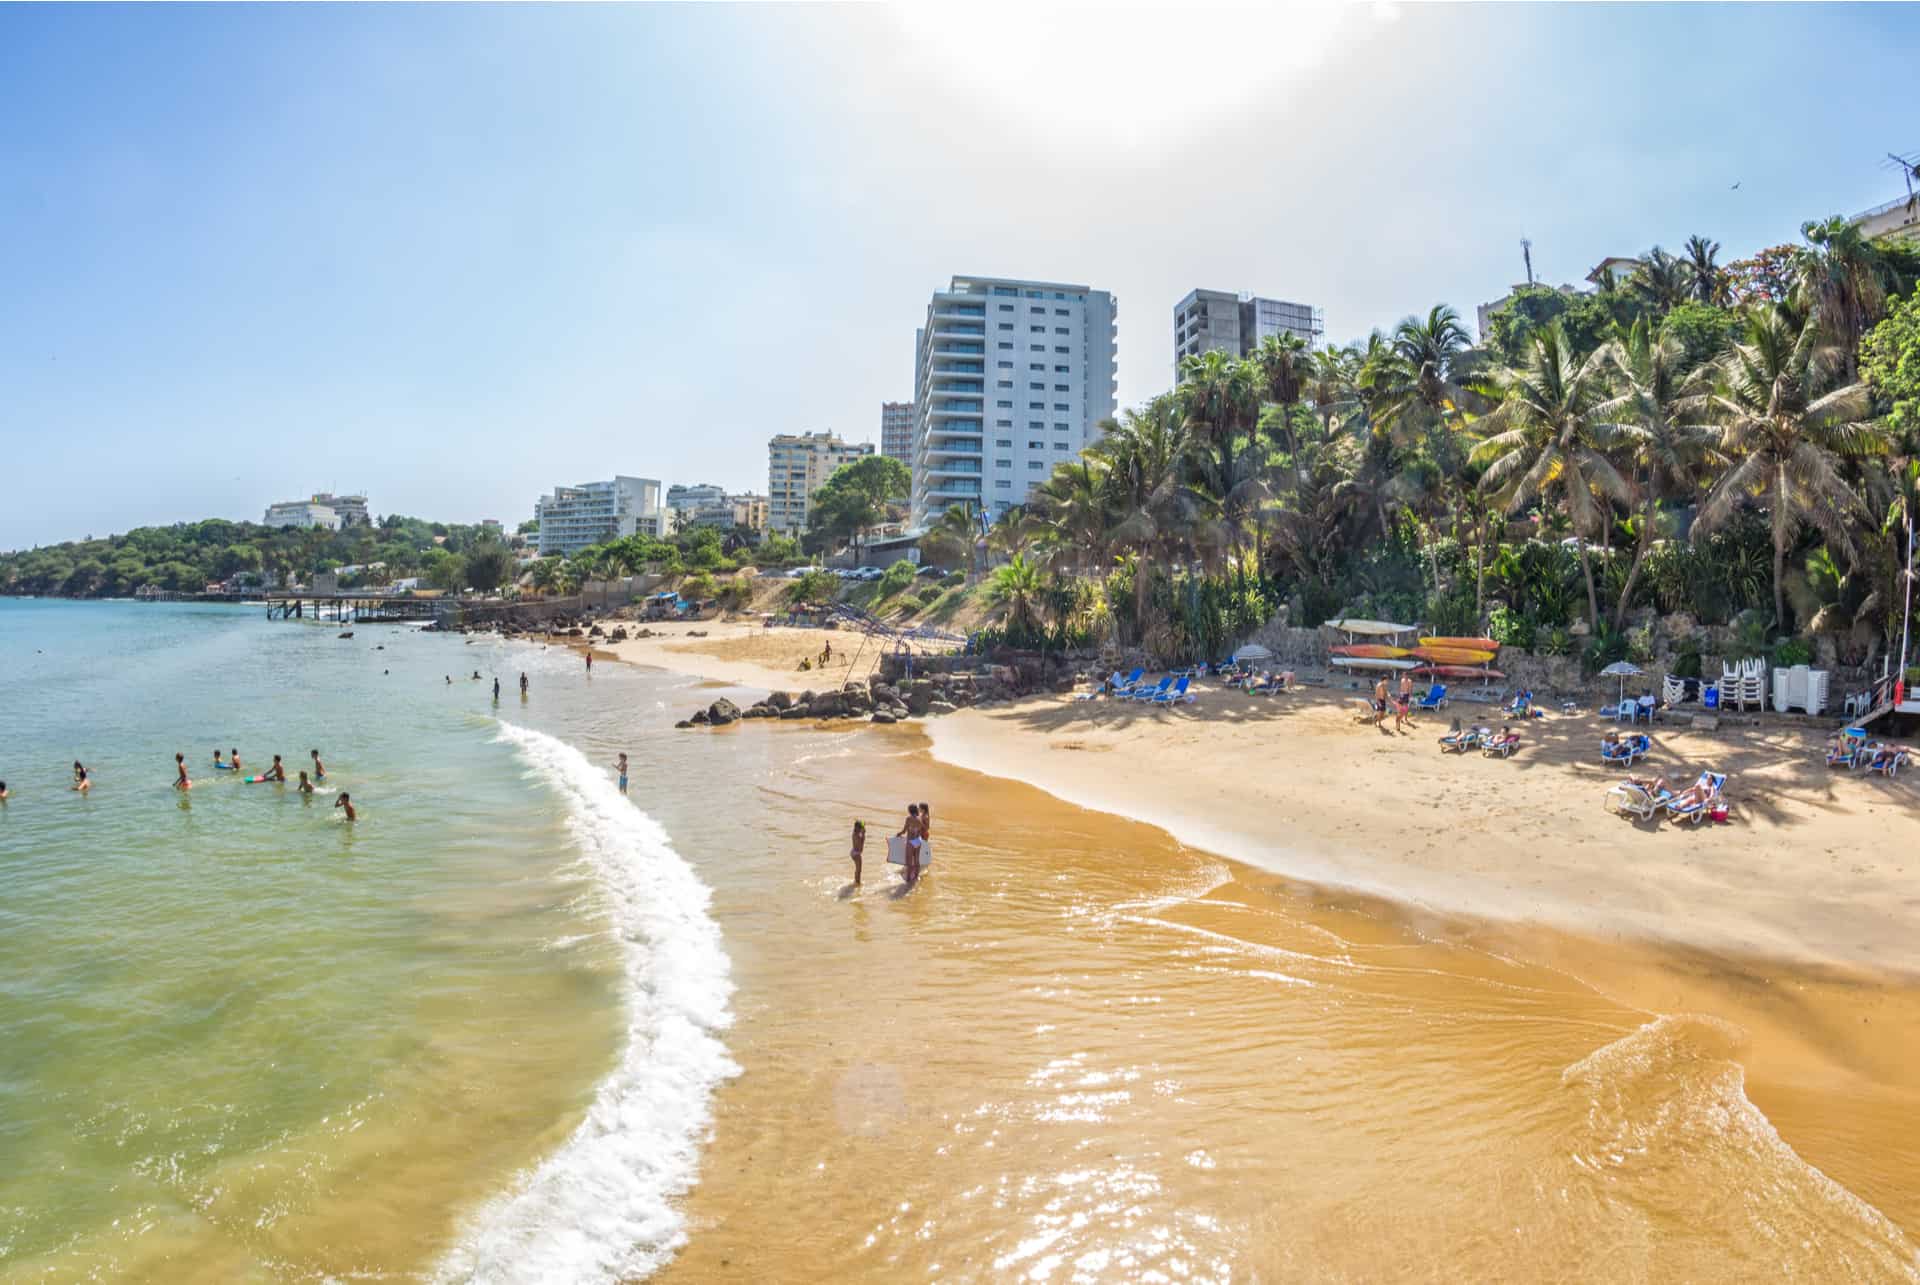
1812,869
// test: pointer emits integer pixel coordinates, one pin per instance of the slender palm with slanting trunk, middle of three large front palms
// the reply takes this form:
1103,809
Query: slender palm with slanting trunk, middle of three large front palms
1658,422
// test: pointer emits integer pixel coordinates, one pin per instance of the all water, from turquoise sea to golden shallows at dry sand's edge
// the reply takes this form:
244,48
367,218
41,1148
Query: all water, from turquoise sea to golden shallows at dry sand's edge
479,1034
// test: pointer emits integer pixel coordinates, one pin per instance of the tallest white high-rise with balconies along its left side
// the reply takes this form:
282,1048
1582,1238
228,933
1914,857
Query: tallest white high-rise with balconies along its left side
1011,379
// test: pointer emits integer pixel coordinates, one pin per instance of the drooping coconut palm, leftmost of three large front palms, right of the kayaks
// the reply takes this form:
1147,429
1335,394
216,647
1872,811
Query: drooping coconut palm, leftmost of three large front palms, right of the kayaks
1548,443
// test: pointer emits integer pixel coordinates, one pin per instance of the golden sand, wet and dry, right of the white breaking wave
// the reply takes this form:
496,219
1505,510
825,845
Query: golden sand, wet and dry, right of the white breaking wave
1084,1050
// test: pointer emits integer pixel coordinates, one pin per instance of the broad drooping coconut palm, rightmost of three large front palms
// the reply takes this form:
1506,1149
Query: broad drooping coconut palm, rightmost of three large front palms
1790,441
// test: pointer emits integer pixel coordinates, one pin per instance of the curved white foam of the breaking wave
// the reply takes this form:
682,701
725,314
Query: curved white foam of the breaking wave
602,1207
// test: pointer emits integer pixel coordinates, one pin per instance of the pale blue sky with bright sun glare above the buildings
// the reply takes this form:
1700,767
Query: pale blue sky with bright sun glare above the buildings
456,256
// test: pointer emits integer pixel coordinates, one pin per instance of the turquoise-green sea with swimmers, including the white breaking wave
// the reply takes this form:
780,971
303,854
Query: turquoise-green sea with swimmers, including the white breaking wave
243,1038
